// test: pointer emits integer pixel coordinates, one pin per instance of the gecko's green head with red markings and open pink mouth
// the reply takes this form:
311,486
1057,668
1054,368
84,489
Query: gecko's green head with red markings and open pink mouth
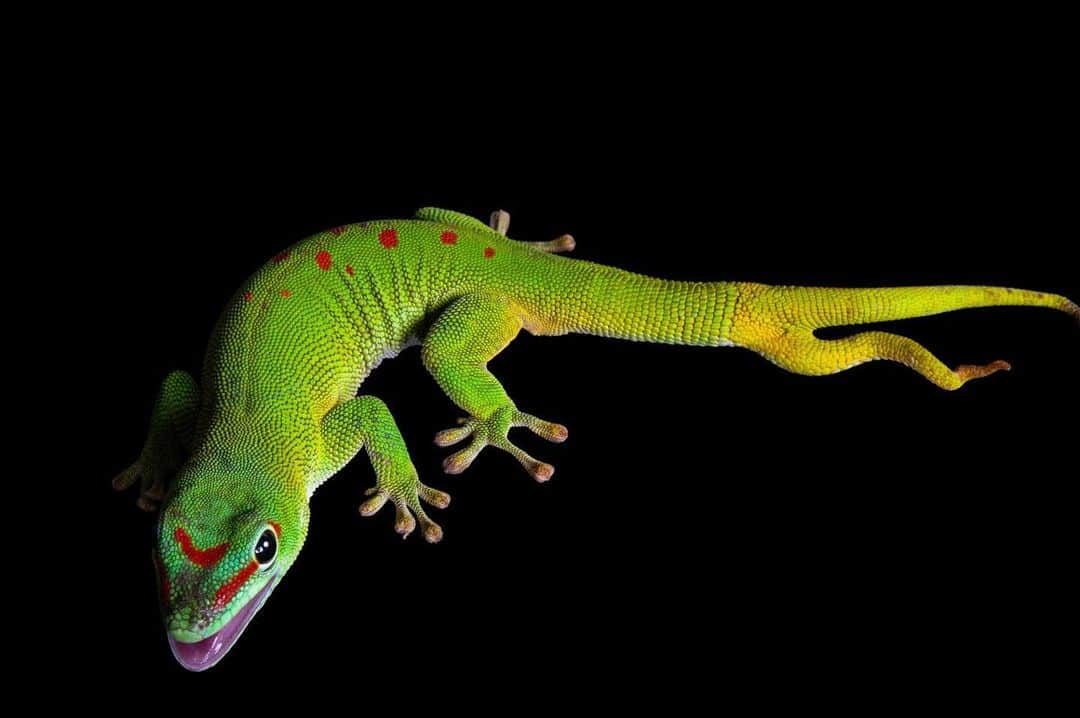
220,556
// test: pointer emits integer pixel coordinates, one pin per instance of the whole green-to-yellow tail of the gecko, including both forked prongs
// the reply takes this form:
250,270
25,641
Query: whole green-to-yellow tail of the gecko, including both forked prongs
778,322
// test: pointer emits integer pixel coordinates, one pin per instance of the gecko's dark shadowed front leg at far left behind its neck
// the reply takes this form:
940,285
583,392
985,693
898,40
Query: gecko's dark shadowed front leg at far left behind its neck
168,443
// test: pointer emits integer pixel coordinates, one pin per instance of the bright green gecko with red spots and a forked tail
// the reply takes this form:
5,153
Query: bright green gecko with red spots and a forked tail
278,411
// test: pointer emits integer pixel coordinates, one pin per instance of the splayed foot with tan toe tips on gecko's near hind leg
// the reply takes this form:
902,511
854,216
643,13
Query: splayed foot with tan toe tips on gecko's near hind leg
493,431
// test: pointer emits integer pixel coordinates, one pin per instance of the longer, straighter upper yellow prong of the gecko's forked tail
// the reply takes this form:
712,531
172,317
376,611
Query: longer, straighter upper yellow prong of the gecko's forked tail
825,307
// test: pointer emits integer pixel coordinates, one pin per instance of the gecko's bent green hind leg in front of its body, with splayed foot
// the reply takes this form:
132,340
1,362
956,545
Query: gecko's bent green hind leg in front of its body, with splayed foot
456,351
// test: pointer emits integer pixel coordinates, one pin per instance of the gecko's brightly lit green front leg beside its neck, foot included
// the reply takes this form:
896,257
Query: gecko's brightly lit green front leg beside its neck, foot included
367,423
